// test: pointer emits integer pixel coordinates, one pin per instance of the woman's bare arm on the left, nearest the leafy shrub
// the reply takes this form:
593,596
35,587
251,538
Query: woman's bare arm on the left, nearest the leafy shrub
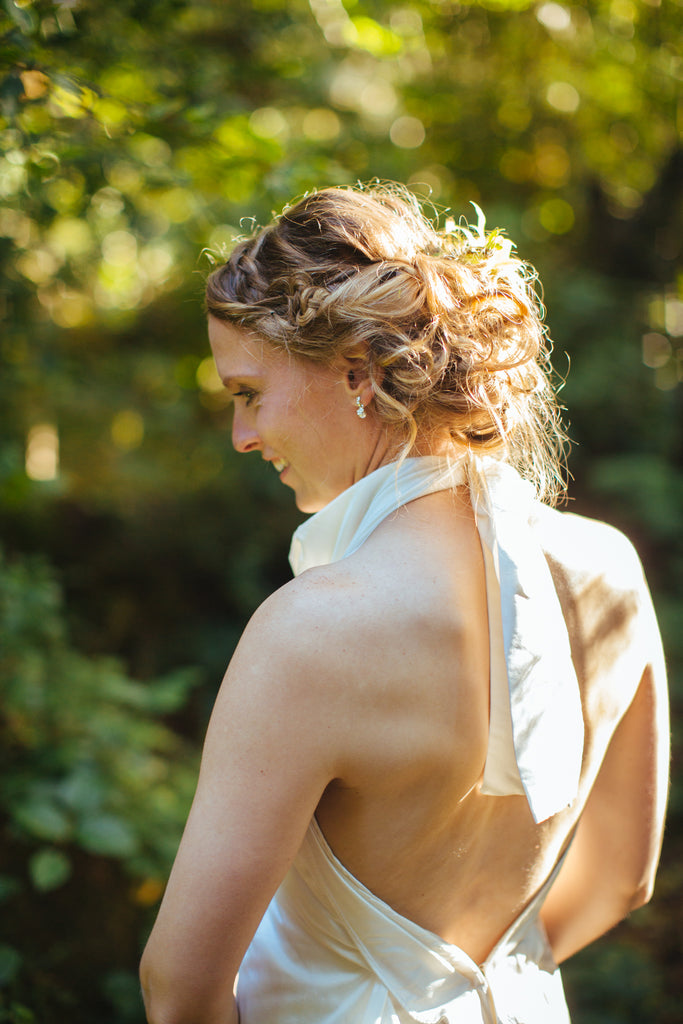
269,755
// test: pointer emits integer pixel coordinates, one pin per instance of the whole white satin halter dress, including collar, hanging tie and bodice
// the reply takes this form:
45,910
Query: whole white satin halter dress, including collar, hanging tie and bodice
328,951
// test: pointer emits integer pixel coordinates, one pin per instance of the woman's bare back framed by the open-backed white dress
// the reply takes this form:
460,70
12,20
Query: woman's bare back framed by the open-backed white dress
408,817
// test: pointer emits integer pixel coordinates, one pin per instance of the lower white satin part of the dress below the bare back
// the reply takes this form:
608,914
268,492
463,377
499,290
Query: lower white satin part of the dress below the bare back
329,952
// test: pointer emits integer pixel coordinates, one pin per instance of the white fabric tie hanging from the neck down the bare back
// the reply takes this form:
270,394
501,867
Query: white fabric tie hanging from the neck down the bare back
537,727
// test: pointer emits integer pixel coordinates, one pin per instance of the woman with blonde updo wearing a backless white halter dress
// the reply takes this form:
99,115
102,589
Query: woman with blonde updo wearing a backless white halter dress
438,763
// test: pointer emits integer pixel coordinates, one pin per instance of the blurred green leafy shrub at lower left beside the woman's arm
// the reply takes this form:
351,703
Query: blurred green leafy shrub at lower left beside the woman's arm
94,793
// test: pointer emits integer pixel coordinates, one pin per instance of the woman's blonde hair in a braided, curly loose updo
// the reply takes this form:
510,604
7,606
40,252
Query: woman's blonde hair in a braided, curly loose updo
446,321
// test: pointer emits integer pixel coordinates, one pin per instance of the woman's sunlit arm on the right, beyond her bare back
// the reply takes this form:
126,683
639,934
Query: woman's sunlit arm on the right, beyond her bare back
610,870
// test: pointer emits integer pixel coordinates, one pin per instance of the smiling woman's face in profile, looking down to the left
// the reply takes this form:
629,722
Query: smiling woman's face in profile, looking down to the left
301,416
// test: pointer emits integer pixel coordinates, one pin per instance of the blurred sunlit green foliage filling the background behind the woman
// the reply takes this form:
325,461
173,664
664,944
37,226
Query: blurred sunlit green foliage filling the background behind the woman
134,136
